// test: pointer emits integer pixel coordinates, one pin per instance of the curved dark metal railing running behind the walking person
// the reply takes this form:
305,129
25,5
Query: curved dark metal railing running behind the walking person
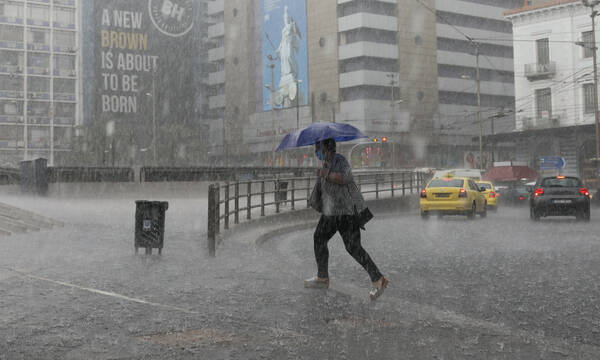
230,201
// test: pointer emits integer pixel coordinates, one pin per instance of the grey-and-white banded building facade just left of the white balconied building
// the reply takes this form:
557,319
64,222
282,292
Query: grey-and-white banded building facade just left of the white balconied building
484,22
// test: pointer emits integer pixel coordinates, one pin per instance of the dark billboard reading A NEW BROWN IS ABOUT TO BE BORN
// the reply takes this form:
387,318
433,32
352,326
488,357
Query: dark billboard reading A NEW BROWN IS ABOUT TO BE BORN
144,53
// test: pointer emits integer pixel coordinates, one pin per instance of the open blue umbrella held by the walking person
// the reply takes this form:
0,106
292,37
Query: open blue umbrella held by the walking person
318,132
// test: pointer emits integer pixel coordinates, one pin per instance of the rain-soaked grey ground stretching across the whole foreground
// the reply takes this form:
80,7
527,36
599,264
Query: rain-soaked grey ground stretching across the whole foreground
495,288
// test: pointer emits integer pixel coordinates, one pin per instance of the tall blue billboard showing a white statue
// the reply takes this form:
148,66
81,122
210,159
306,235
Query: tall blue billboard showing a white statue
284,53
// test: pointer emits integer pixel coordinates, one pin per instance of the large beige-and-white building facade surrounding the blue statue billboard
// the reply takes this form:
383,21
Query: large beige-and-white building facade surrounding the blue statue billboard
364,68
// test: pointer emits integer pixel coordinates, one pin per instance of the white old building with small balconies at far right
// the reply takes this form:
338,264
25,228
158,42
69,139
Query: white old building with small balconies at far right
554,83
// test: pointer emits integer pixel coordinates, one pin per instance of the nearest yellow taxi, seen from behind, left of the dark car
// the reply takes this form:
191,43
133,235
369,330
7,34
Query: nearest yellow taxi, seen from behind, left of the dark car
453,196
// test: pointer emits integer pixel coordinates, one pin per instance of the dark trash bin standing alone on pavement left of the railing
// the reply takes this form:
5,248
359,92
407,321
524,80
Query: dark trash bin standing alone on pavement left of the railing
150,225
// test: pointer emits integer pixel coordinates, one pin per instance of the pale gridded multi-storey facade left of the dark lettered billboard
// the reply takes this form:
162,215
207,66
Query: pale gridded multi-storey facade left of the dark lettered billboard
39,79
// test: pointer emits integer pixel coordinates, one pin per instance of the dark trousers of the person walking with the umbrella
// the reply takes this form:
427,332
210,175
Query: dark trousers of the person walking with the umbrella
350,232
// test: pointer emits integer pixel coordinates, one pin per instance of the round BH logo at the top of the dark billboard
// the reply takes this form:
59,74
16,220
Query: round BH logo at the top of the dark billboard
172,17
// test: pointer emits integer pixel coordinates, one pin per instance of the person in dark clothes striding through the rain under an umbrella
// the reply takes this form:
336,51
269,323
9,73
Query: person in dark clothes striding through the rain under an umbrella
337,198
